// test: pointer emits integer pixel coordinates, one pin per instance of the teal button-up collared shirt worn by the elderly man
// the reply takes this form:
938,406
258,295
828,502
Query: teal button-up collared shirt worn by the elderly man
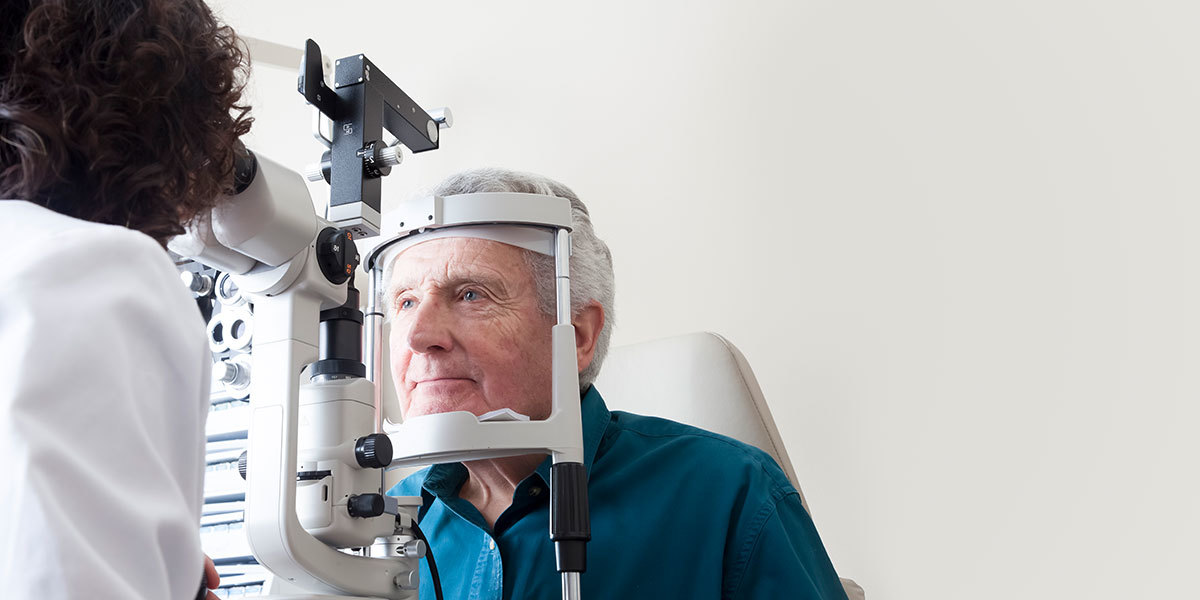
676,513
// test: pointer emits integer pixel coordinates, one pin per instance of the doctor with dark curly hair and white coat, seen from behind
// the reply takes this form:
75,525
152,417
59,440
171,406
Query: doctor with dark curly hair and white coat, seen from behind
118,122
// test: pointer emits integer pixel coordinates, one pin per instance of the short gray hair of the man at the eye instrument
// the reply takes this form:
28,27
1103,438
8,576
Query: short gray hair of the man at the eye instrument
592,277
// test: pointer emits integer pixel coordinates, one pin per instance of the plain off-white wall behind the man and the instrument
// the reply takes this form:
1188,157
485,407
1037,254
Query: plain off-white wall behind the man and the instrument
956,241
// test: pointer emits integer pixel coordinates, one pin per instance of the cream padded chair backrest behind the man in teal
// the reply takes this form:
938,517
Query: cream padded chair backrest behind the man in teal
704,381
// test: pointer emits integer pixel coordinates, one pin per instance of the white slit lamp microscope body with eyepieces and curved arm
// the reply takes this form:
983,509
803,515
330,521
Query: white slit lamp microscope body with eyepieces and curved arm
303,467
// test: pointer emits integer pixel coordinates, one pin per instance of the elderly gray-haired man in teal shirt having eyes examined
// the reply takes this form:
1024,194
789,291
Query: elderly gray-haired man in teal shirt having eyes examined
676,512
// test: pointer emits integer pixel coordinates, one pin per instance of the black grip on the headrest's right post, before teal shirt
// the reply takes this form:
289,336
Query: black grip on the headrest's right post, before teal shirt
569,525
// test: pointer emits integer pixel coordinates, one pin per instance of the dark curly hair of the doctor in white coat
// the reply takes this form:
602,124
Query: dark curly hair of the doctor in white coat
123,112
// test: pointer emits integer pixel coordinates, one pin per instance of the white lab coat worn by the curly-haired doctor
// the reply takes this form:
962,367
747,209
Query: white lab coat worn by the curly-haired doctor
104,397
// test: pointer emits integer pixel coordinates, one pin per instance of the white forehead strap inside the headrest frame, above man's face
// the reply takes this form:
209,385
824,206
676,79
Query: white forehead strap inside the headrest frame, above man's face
529,238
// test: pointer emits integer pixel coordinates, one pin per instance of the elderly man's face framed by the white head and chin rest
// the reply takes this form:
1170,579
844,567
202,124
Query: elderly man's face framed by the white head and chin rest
467,333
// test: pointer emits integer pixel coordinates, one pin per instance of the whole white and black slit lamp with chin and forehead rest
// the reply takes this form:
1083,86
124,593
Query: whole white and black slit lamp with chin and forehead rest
317,449
